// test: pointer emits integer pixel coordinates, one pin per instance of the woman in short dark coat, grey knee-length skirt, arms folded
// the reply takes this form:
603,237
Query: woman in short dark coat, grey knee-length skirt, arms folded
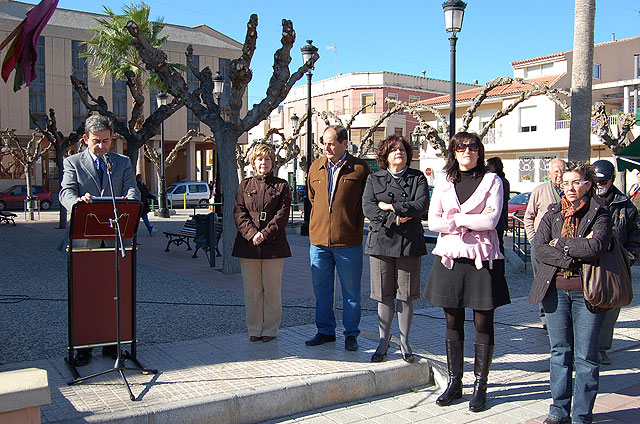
394,199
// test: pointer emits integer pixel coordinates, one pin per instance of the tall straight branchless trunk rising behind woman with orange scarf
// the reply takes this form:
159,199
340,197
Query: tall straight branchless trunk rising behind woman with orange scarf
581,74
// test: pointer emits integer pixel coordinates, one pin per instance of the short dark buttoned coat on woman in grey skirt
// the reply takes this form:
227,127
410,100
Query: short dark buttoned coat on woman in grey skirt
409,197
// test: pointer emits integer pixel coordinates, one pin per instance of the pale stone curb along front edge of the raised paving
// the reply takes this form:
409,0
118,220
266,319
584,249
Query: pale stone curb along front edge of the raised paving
280,400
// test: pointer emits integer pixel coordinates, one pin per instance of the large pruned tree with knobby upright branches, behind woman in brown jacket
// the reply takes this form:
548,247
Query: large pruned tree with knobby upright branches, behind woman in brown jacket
203,104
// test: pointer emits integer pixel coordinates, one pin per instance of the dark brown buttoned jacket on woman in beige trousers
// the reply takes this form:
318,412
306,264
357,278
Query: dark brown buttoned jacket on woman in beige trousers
262,204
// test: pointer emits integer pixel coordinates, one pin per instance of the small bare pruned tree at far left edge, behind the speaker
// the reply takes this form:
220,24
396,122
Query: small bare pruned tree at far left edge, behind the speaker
26,156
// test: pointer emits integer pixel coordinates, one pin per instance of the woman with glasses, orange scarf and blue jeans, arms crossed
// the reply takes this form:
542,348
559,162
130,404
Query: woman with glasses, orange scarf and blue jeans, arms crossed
574,231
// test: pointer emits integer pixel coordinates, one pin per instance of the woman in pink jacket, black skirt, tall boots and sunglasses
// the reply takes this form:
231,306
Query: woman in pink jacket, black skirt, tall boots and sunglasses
468,270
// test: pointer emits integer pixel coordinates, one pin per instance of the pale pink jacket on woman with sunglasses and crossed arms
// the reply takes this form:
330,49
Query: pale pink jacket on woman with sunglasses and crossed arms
466,232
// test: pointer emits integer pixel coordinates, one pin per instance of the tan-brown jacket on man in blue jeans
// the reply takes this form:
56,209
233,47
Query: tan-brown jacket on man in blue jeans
342,224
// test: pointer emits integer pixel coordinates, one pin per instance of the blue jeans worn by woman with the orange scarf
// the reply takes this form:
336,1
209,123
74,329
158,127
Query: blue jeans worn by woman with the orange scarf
573,335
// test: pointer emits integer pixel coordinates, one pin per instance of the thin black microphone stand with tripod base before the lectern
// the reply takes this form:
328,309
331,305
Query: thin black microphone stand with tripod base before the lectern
119,366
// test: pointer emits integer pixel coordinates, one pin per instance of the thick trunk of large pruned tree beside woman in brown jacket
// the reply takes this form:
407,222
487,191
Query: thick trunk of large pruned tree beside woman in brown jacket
226,142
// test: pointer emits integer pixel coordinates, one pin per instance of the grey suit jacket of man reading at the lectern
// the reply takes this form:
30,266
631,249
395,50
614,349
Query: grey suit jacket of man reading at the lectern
80,177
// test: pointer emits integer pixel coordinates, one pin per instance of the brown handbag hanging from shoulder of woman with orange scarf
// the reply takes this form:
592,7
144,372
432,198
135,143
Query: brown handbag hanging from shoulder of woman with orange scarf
606,282
